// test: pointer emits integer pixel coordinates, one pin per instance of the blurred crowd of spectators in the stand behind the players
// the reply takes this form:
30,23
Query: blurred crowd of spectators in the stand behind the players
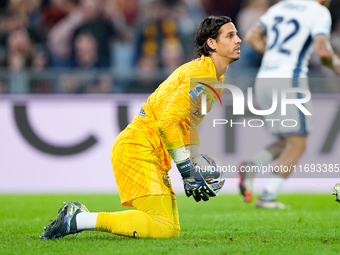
117,46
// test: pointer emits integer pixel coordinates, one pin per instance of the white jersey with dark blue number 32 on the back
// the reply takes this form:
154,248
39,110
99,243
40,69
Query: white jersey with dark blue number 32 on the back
291,27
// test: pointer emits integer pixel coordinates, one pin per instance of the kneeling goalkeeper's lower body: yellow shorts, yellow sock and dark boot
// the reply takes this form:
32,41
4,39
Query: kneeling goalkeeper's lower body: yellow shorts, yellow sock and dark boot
142,183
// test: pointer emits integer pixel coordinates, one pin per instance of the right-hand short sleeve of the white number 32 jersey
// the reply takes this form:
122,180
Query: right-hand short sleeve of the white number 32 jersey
322,23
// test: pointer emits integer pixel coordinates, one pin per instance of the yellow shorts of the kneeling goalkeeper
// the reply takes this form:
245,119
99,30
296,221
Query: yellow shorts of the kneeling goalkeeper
140,167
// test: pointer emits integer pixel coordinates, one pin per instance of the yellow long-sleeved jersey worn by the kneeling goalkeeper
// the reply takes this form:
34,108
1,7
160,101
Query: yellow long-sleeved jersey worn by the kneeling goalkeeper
173,112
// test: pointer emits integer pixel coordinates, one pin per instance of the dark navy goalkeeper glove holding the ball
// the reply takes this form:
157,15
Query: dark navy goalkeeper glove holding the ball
194,183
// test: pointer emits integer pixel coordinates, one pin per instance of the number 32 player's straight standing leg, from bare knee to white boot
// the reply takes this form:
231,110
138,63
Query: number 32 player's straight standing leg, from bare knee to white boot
295,146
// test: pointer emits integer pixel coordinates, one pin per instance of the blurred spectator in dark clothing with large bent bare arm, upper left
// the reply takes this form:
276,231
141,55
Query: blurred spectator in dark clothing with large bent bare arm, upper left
102,19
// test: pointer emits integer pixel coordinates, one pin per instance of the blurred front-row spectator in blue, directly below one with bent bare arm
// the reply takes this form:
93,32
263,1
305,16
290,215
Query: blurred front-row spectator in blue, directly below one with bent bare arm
86,60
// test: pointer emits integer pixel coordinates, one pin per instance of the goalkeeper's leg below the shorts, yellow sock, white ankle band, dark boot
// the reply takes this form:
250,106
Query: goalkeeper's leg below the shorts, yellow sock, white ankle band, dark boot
153,218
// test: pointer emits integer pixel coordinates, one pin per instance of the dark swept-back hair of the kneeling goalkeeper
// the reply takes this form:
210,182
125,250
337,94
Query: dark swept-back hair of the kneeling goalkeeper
209,28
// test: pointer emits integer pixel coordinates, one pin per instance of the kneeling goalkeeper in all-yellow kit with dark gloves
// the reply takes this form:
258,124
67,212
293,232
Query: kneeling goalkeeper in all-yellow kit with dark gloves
165,129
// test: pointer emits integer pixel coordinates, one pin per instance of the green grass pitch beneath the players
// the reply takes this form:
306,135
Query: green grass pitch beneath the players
223,225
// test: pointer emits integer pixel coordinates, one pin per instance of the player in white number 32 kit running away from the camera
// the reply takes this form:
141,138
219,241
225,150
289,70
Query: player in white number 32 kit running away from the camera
287,34
